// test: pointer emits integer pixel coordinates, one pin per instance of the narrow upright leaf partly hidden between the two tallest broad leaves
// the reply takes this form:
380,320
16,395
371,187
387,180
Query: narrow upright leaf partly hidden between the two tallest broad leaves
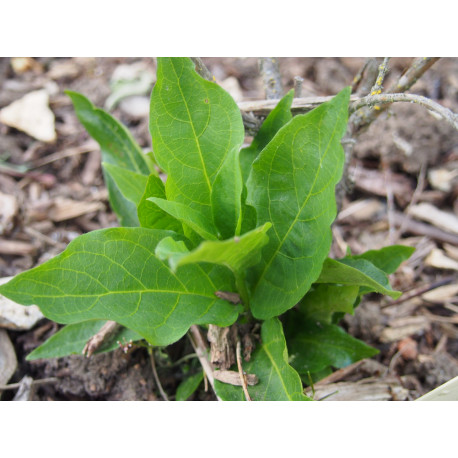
276,119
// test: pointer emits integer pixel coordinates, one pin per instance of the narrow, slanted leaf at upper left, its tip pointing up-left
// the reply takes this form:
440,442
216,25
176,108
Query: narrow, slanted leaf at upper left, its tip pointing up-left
117,144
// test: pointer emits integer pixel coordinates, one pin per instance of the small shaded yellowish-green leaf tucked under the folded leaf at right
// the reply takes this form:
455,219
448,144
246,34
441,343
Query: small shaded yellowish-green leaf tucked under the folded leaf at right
323,300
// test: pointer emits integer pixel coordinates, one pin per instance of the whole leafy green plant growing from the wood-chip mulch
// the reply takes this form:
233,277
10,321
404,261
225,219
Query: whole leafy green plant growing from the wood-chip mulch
255,222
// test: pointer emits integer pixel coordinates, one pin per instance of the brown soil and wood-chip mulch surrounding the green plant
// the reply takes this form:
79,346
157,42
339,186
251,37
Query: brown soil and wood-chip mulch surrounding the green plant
392,166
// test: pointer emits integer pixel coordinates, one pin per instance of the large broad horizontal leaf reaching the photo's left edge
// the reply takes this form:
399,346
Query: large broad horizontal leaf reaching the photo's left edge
113,274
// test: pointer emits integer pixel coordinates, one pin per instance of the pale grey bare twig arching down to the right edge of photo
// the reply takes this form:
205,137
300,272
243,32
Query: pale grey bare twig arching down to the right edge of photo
387,99
